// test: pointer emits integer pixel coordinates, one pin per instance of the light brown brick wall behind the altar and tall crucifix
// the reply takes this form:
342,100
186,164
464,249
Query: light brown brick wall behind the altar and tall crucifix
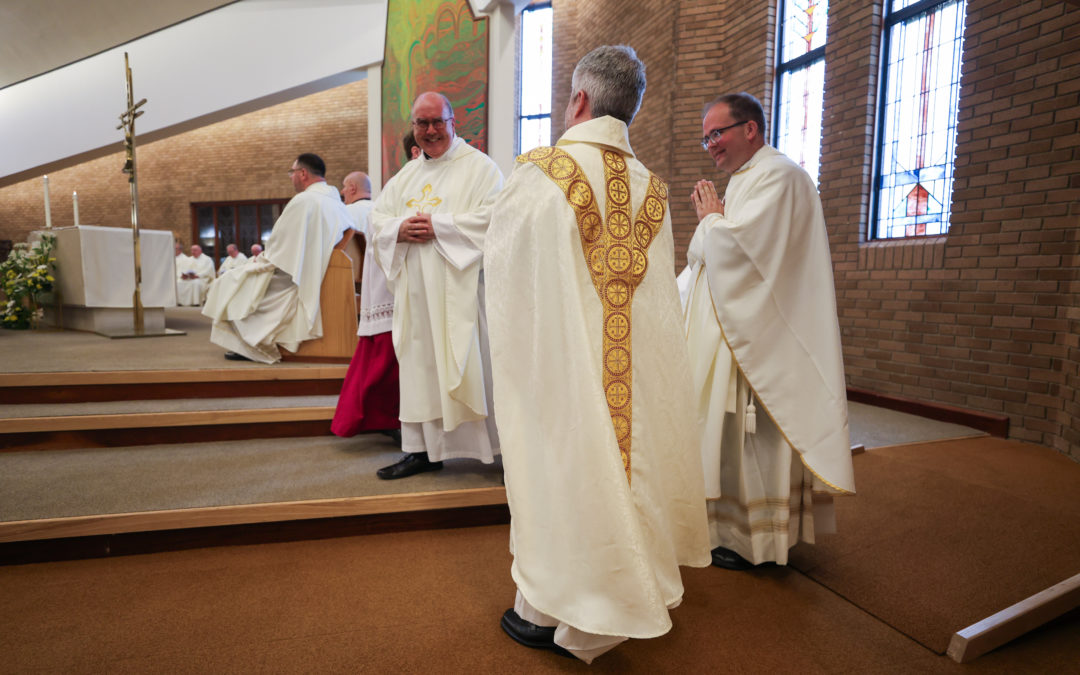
242,158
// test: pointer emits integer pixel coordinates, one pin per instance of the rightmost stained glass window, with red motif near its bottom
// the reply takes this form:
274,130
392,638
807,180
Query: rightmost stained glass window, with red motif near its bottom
917,124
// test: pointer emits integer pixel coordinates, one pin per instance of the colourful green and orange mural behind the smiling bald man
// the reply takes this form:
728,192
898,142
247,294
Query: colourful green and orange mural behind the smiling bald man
434,46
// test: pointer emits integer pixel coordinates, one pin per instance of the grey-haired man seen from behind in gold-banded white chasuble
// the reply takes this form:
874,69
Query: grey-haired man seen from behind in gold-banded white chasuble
592,381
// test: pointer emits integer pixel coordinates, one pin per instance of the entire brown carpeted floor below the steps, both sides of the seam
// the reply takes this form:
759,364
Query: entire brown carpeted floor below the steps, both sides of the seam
941,535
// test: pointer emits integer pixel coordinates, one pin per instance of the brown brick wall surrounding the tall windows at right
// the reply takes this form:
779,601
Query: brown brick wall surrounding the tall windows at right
985,318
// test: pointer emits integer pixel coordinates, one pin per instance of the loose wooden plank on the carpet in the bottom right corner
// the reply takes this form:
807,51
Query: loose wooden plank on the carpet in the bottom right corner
1015,622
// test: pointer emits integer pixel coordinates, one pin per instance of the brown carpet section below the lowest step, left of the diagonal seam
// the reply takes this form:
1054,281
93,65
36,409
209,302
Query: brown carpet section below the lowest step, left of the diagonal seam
426,603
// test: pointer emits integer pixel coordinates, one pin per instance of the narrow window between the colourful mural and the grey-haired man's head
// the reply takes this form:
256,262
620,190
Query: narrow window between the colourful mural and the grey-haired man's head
535,99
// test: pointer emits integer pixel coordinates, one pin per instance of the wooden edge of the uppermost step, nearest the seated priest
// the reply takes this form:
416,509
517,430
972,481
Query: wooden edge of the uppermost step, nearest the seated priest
151,377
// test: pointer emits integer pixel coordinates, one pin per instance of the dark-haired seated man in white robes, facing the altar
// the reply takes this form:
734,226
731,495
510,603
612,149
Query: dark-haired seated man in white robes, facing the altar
274,301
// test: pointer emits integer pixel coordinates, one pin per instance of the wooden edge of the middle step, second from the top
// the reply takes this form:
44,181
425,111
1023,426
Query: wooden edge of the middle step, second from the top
147,421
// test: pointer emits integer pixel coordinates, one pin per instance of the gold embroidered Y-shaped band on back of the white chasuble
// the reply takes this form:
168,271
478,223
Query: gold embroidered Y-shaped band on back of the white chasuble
617,256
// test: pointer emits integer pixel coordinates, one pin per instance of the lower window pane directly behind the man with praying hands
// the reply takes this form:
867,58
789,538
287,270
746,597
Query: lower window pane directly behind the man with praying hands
799,126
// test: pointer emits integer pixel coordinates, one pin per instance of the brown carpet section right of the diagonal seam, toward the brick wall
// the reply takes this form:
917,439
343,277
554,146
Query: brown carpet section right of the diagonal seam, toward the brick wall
943,535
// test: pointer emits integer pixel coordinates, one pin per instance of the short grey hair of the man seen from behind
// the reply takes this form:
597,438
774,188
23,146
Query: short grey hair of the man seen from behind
614,79
